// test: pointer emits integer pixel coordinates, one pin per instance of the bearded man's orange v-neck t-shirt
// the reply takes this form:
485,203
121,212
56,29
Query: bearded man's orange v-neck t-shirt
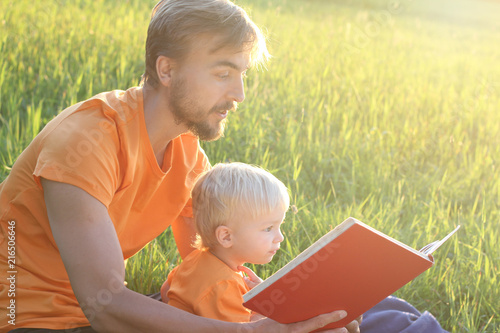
101,146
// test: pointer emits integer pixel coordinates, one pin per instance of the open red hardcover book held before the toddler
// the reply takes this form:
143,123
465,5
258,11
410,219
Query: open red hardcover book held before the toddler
352,268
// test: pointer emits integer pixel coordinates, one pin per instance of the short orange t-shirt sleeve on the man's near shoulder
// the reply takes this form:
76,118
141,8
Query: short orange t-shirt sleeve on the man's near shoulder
82,151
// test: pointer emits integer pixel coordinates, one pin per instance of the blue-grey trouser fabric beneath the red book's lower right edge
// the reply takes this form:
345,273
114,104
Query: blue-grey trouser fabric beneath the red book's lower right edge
394,315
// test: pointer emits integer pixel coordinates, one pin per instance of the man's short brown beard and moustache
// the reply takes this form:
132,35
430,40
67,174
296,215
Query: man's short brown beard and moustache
187,112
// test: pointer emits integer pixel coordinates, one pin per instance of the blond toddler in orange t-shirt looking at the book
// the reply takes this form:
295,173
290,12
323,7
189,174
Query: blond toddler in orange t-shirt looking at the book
238,210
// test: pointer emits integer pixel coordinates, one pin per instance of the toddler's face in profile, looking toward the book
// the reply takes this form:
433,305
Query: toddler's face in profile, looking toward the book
256,240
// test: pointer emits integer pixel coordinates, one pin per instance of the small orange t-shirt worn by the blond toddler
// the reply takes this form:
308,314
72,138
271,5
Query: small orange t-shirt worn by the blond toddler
205,286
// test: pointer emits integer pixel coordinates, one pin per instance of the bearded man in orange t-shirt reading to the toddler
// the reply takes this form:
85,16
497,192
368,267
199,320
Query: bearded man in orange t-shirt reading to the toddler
109,174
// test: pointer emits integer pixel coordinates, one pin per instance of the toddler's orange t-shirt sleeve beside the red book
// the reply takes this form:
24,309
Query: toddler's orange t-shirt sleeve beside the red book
224,301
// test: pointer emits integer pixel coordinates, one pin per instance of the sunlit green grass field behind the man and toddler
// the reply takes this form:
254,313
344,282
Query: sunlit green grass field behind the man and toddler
382,110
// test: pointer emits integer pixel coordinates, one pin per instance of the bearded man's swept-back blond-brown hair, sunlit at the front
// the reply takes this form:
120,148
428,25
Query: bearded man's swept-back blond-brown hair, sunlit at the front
175,24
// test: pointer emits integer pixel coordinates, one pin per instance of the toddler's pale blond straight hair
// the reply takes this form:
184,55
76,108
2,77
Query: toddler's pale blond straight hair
229,189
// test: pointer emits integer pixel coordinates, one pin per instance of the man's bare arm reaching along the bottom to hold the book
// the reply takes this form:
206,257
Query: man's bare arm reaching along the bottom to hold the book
92,255
